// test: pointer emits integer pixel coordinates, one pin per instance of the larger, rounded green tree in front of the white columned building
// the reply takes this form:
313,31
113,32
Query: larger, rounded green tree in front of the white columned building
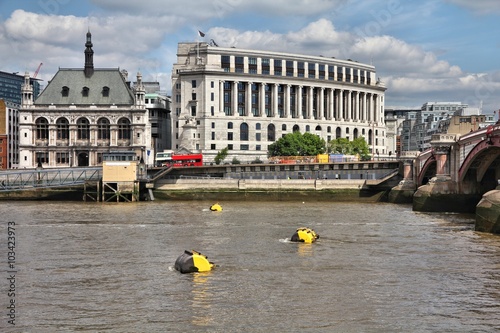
297,144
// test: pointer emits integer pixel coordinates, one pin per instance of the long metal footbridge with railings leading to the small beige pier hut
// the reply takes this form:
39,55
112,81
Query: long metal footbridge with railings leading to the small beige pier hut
17,180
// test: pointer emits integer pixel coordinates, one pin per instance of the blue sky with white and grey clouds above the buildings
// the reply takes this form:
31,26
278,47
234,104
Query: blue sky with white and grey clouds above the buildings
424,51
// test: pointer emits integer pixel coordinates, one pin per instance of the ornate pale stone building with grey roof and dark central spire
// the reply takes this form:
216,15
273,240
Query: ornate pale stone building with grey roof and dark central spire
81,115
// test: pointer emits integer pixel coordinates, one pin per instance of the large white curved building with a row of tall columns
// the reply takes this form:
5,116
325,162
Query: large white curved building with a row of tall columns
247,99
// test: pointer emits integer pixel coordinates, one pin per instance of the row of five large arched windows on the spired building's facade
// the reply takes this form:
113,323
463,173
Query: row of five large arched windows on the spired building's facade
83,129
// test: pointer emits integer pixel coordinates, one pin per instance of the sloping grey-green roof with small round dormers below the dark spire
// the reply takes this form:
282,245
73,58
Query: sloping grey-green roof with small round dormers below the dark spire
75,80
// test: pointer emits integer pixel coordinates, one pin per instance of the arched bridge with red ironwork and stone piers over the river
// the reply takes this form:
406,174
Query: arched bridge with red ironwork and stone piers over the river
455,172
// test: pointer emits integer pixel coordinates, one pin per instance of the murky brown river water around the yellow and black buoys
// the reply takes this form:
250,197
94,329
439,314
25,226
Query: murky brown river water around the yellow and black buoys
94,267
